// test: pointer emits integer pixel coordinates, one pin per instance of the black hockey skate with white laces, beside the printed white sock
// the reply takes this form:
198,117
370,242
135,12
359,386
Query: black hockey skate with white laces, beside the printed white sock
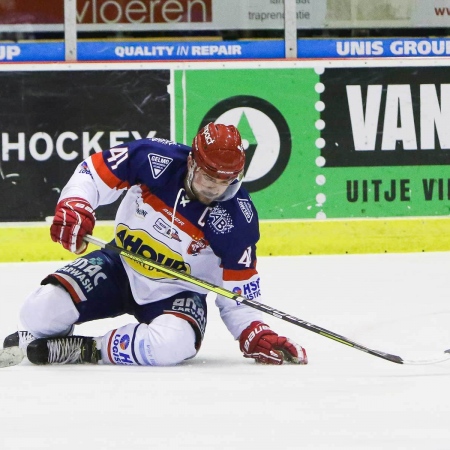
64,350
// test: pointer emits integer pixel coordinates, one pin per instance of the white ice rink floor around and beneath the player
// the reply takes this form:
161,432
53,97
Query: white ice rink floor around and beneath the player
344,398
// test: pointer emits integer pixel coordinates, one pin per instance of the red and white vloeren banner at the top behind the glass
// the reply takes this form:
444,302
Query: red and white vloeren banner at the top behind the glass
125,15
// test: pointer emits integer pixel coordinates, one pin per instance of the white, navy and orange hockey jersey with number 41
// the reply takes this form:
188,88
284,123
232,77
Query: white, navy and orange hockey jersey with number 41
157,220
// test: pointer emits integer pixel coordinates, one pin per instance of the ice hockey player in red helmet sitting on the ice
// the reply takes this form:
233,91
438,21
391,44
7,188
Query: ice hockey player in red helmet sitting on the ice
185,208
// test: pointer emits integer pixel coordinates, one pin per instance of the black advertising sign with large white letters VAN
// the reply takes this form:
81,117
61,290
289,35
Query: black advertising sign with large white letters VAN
386,116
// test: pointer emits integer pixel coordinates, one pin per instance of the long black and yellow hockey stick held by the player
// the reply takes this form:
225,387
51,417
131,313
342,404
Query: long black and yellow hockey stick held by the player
261,307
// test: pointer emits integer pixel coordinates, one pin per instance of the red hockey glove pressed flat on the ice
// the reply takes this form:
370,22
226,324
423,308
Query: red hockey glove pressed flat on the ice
258,341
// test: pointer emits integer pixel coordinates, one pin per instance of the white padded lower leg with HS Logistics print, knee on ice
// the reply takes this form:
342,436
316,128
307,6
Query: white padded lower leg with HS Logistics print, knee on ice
166,341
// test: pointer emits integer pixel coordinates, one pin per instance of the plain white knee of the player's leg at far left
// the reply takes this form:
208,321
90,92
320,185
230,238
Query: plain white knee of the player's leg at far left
48,311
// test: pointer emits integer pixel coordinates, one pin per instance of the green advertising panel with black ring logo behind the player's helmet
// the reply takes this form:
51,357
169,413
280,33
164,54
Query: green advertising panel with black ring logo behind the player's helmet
274,109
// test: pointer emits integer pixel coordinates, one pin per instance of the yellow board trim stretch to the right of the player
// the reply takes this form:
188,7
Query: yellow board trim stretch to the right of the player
355,236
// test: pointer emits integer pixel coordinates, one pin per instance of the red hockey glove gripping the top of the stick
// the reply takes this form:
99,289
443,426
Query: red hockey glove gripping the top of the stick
74,218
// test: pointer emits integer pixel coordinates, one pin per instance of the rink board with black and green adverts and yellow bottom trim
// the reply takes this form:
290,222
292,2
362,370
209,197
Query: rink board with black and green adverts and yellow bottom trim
333,180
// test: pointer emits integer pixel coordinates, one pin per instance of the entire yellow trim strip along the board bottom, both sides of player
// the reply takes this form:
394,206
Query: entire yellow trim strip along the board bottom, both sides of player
31,242
